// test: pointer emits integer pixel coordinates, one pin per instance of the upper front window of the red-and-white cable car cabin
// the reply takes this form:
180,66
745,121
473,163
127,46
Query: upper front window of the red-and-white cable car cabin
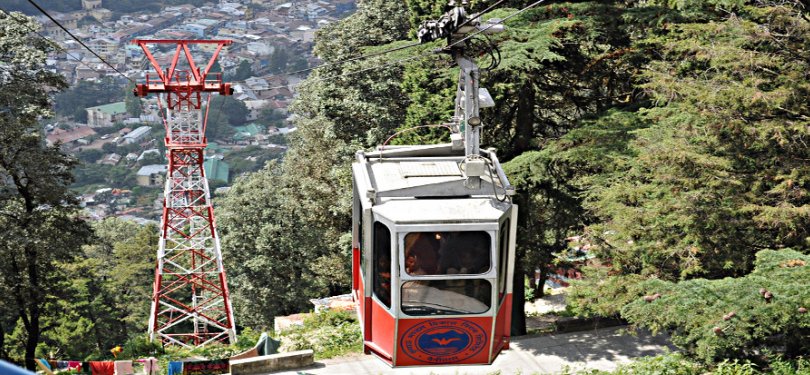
447,253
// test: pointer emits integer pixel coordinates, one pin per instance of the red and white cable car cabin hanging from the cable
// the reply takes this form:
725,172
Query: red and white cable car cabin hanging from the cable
432,257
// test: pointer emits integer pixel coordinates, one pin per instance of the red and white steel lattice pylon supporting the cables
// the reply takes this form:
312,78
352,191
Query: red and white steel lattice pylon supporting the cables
190,304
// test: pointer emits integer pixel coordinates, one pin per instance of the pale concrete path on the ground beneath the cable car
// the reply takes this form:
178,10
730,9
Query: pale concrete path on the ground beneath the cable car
602,349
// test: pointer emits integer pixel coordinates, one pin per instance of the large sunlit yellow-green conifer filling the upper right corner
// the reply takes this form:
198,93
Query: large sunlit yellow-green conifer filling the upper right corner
706,181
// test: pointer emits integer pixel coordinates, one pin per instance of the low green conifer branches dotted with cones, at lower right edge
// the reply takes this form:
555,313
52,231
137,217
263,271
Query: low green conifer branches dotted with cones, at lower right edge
732,317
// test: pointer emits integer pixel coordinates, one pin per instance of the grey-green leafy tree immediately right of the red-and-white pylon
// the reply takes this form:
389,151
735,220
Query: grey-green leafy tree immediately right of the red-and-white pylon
269,257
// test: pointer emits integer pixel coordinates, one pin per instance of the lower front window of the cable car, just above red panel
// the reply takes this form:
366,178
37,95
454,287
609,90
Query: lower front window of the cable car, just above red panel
446,297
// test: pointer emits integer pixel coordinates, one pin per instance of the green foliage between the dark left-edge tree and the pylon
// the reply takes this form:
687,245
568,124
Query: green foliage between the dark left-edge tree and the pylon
109,292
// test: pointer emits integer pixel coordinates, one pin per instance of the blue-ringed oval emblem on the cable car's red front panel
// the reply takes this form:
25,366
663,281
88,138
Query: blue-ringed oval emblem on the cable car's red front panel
443,340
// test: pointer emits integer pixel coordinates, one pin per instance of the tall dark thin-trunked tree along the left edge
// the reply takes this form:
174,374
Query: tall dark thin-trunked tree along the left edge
37,211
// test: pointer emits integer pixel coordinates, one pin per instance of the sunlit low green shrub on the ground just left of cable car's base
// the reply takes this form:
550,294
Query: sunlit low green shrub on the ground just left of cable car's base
328,333
